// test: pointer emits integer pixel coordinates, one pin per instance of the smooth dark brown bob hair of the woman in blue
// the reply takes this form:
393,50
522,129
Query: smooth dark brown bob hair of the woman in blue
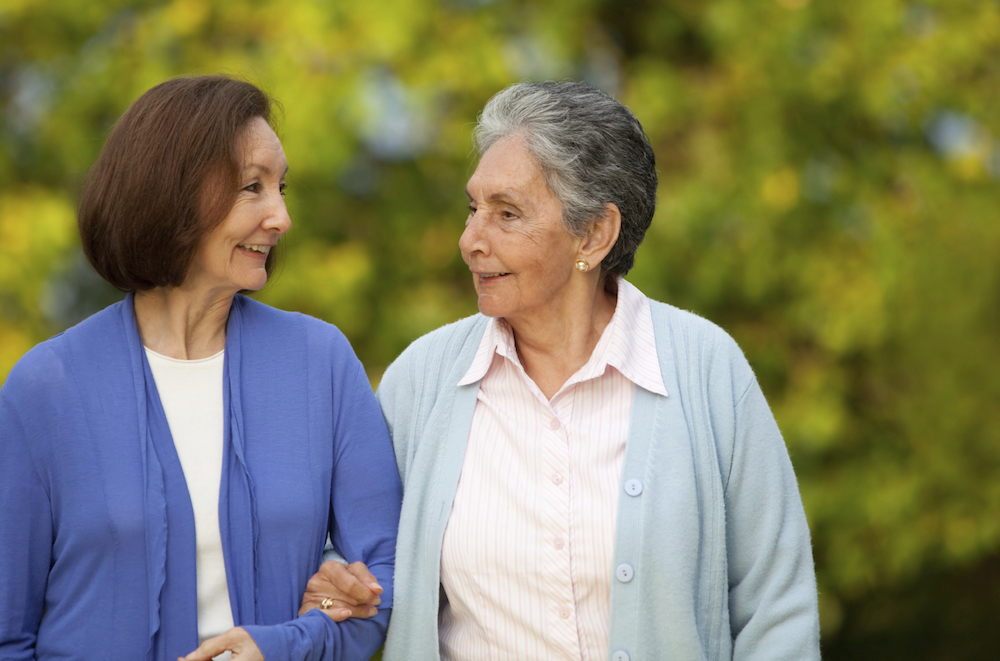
167,176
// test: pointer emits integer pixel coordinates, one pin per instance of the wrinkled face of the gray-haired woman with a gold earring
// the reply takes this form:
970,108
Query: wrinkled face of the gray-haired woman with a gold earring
520,253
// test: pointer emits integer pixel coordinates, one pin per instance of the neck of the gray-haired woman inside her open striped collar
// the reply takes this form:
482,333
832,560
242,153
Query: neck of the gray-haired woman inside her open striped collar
554,345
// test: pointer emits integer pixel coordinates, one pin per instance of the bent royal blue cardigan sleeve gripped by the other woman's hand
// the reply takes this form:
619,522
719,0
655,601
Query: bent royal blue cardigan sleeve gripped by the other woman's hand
365,502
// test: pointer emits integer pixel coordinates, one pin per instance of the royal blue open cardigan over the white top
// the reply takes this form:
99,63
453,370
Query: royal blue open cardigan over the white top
97,537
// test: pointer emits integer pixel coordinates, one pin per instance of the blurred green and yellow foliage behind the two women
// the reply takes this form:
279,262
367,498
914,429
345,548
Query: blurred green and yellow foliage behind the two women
829,179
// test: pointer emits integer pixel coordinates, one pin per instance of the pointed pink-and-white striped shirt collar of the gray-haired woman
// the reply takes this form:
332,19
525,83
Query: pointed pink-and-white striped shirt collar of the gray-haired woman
628,344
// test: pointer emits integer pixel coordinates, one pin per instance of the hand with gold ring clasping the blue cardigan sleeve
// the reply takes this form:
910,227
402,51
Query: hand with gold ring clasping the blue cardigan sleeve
353,589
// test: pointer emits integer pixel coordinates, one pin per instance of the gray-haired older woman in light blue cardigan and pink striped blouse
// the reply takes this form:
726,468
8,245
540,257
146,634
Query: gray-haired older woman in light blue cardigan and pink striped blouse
587,474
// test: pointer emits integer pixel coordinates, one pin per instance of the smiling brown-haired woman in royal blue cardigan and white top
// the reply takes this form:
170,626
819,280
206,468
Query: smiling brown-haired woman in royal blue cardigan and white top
173,465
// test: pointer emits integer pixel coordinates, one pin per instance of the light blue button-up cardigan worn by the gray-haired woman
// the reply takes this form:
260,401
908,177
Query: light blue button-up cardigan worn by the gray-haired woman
717,539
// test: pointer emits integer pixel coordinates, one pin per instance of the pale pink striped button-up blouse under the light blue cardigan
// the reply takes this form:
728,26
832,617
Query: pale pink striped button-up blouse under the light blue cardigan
527,559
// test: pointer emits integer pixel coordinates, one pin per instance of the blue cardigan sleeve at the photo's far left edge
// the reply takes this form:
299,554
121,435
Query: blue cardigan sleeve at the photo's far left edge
25,537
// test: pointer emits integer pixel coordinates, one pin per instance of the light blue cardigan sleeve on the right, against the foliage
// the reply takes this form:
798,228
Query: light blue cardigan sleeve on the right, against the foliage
772,583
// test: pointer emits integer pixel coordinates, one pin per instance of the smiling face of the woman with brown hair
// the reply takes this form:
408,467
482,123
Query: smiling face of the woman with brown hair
231,257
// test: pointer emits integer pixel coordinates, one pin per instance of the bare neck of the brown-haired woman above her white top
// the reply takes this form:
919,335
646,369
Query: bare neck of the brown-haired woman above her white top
181,323
